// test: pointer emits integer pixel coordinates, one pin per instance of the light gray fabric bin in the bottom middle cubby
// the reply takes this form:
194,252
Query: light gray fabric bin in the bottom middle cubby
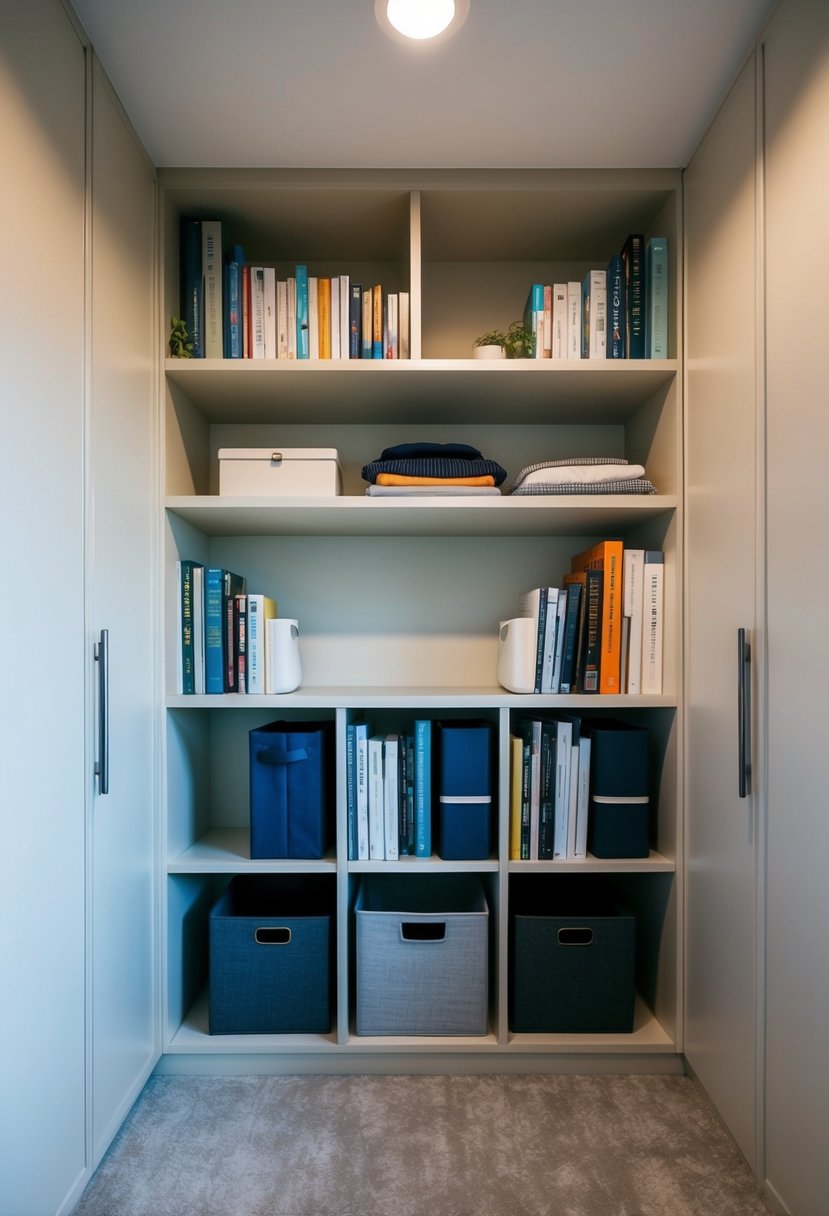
422,953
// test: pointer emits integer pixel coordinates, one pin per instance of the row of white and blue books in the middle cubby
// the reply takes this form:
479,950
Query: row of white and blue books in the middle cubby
388,792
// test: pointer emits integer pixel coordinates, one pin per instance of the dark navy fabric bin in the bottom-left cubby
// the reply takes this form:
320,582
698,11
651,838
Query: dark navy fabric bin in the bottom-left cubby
272,956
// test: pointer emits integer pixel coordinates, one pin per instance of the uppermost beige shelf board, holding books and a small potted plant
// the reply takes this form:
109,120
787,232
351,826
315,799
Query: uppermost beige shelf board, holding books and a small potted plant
426,391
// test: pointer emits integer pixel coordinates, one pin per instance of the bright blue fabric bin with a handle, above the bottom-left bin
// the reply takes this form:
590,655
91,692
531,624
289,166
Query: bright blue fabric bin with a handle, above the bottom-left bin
292,790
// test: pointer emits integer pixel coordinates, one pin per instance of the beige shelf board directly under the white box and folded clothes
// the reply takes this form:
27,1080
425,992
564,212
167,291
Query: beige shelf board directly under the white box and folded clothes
362,516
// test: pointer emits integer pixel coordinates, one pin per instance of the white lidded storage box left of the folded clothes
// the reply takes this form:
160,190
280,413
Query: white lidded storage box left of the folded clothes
278,472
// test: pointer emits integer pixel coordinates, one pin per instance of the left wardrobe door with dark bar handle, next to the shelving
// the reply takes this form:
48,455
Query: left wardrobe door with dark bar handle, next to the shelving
123,497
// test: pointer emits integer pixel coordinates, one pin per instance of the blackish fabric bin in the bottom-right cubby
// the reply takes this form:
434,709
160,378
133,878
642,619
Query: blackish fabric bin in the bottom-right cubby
572,961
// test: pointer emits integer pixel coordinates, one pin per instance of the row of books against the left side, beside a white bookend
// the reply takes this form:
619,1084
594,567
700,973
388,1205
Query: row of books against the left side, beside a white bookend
223,630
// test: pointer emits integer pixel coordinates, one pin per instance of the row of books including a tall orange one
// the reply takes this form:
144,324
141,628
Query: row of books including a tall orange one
602,630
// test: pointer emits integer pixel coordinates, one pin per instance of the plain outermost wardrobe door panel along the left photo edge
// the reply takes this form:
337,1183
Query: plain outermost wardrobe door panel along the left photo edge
42,497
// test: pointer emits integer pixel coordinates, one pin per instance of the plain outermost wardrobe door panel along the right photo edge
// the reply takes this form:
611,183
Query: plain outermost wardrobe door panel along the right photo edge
797,55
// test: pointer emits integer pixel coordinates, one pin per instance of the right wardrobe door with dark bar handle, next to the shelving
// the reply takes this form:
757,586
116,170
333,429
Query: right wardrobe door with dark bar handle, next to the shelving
723,531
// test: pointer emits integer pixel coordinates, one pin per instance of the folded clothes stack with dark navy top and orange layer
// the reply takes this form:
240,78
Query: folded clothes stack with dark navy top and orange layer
427,470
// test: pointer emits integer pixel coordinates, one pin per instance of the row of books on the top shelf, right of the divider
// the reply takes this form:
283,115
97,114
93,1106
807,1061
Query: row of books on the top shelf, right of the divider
617,312
